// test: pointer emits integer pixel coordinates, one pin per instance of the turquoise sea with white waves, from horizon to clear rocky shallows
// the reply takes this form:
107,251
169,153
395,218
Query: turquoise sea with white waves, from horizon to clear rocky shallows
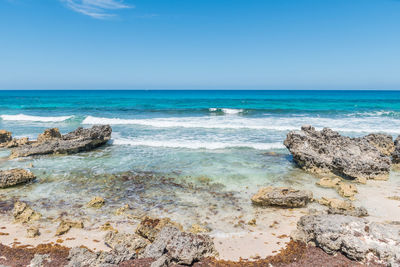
196,156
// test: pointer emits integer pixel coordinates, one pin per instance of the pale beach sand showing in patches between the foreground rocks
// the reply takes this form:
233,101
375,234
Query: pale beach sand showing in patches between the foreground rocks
269,235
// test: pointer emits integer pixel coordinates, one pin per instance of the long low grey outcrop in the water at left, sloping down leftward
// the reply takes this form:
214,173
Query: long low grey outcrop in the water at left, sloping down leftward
50,142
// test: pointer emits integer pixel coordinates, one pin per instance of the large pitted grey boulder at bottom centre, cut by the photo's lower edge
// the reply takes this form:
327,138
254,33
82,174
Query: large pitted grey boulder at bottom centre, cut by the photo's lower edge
172,246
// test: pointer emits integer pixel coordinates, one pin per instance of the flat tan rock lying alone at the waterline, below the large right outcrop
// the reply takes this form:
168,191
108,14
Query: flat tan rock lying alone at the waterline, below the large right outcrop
282,196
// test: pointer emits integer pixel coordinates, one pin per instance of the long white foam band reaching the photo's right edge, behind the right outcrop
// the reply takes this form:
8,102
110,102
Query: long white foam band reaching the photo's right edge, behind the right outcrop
355,125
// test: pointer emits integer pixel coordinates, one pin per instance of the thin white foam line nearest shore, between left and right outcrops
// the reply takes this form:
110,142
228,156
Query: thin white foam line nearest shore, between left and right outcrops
195,144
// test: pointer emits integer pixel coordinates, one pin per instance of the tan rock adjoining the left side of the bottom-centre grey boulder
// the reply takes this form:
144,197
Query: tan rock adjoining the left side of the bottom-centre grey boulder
126,245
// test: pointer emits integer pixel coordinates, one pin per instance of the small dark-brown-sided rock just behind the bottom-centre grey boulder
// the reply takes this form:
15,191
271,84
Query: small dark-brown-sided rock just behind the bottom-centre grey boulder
150,227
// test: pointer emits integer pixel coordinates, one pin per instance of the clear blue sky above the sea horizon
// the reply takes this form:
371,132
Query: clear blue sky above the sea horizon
200,44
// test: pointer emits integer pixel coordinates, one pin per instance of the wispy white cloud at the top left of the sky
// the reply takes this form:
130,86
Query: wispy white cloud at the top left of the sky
98,9
